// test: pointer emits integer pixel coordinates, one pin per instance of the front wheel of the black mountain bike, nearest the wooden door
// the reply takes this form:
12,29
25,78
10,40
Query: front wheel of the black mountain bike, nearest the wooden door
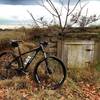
50,72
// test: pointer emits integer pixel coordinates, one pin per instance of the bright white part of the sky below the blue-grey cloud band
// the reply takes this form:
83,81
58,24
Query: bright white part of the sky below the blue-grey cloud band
20,14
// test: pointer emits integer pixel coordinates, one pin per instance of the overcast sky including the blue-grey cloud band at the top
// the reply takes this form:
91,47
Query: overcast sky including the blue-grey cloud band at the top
15,11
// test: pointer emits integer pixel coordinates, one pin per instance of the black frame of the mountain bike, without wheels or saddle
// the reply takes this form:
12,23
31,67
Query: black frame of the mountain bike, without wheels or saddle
35,50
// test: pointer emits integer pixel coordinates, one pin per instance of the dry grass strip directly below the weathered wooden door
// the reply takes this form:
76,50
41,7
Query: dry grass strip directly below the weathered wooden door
84,74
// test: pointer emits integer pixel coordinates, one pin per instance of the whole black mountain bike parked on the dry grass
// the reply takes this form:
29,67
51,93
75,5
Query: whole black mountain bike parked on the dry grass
49,71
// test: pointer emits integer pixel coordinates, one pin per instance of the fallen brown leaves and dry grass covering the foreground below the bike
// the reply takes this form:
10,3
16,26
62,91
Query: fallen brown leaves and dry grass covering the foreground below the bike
70,90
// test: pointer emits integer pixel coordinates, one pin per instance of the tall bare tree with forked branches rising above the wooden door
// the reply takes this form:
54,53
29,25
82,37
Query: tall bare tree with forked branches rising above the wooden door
57,14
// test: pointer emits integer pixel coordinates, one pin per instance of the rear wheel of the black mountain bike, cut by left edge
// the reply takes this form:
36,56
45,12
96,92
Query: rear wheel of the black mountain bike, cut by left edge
8,69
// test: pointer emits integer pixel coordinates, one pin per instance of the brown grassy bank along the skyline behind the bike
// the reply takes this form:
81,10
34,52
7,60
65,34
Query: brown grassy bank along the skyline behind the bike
18,33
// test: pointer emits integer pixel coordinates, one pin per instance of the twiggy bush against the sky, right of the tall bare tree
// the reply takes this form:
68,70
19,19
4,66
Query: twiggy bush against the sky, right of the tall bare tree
83,20
